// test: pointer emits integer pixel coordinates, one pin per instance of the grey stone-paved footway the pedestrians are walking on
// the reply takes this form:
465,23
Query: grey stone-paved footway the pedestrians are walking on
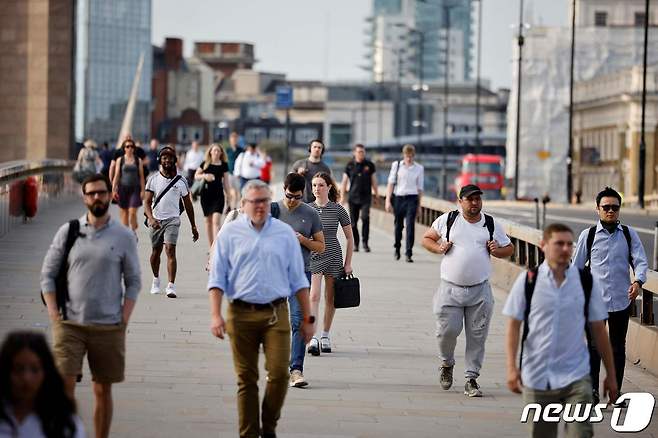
381,381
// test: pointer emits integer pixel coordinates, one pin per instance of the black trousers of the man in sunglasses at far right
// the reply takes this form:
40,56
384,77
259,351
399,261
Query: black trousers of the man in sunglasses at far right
618,327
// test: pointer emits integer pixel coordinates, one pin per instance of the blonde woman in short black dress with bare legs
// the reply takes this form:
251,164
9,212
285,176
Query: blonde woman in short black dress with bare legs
215,193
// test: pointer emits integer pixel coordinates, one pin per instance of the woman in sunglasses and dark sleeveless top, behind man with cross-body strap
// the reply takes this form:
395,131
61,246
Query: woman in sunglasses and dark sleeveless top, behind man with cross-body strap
128,185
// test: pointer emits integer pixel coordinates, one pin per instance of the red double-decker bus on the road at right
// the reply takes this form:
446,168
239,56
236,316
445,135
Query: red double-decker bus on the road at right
485,171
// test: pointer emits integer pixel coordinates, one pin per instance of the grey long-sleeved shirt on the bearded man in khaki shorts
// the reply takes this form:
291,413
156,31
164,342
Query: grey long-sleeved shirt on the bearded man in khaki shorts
101,262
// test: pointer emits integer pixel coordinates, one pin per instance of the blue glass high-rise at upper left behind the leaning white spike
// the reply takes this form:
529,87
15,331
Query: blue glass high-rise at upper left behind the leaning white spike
111,38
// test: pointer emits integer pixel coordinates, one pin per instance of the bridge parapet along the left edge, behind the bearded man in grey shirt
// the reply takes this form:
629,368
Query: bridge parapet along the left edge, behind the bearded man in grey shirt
53,181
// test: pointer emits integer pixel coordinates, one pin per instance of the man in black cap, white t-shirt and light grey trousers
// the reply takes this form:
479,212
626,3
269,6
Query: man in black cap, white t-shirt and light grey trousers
464,295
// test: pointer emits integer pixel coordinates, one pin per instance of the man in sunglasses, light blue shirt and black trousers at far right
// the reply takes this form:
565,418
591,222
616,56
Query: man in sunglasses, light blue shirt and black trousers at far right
607,249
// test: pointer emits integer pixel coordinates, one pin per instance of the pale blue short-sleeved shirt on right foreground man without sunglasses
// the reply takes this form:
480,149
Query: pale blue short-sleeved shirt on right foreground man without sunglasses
555,352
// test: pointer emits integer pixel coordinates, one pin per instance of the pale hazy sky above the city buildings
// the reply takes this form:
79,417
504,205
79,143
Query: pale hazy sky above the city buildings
326,40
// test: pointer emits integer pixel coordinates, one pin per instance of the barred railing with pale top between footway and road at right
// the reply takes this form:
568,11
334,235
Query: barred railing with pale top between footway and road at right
527,252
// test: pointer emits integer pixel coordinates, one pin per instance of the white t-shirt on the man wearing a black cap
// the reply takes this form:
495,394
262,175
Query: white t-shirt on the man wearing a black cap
468,262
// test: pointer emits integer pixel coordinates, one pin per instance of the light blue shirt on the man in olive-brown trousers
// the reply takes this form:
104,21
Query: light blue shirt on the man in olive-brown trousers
257,266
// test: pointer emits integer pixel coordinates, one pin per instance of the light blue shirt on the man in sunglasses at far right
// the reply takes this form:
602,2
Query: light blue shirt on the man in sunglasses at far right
610,264
